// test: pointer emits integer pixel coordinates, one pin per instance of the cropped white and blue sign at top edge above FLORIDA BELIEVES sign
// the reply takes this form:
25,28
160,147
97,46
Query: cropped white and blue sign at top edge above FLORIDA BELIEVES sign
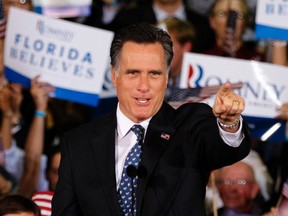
63,8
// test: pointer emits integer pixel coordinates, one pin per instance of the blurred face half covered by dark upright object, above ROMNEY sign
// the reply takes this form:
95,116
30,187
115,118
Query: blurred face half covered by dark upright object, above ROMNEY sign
219,17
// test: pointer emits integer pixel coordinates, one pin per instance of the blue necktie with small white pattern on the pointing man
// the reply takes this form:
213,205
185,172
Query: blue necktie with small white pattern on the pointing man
127,195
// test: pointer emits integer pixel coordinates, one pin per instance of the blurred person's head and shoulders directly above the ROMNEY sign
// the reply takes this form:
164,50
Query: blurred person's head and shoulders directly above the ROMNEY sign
229,20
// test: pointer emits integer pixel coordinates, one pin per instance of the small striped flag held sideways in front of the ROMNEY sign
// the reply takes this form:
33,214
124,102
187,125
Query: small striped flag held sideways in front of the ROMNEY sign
178,96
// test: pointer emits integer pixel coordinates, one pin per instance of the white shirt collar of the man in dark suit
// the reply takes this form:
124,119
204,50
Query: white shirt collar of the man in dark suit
124,124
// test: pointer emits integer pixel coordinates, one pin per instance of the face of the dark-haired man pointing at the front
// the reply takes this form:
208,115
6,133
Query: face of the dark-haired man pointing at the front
140,80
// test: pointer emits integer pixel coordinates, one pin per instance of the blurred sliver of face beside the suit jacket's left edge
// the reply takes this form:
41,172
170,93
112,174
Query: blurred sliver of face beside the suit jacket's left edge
53,171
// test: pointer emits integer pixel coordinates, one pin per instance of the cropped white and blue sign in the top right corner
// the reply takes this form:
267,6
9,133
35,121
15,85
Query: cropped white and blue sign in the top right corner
272,19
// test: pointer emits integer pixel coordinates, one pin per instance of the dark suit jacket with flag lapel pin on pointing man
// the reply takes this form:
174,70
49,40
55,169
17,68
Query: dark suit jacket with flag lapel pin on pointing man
177,168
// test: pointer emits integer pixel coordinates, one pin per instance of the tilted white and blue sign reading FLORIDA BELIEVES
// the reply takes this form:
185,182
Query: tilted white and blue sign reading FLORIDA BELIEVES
71,57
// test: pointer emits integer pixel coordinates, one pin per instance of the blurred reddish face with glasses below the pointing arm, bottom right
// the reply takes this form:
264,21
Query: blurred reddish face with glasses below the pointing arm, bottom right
237,186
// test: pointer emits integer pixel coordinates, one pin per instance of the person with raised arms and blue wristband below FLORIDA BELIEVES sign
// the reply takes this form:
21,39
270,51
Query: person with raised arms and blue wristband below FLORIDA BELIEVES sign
26,165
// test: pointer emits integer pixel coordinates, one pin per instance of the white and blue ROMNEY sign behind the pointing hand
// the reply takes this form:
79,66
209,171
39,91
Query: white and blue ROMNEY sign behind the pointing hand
265,86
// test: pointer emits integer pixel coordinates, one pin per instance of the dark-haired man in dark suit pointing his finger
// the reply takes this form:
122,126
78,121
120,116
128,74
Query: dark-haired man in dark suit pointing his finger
179,150
